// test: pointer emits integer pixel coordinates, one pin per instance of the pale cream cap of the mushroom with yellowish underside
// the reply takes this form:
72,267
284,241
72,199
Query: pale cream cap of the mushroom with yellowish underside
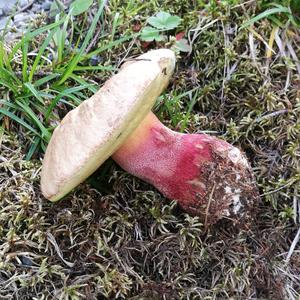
93,131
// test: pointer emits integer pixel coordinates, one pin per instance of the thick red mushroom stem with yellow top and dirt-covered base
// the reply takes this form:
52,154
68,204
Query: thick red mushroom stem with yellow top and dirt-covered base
207,176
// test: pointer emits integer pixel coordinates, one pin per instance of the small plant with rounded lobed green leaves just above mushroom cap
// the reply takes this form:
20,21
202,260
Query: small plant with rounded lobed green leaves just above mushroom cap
160,23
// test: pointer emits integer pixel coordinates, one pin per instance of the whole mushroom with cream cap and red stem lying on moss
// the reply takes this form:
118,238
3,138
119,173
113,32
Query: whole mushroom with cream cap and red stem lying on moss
207,176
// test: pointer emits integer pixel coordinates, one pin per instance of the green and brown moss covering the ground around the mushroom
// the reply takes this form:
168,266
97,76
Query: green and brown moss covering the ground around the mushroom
117,237
